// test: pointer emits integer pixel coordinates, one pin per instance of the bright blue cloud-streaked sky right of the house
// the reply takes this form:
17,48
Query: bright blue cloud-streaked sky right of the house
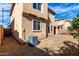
65,10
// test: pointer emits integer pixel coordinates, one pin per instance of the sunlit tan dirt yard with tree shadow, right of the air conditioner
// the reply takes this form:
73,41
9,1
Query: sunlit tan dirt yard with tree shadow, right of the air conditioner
60,45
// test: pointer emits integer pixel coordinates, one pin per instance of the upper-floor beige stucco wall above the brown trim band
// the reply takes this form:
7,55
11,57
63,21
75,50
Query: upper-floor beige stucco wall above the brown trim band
28,8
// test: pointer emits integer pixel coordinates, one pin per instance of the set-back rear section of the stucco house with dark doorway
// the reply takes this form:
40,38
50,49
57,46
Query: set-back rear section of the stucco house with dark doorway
52,26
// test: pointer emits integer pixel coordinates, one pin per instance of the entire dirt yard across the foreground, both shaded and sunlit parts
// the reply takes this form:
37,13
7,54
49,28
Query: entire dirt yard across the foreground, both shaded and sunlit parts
57,45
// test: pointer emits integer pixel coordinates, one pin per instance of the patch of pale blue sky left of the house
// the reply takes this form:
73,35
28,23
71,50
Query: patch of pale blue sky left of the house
6,18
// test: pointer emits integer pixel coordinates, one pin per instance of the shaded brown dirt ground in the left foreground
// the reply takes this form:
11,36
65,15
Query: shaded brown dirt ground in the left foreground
11,47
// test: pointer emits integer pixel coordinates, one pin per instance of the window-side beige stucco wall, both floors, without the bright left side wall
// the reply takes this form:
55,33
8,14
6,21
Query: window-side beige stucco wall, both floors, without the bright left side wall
27,21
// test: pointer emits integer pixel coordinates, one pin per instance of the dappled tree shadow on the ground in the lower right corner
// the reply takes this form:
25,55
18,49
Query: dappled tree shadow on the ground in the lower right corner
69,49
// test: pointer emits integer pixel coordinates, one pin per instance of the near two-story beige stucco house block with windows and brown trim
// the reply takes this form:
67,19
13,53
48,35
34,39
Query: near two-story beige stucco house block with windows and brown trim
29,19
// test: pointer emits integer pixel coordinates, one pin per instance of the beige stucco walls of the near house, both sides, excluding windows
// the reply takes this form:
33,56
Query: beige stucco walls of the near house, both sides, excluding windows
22,24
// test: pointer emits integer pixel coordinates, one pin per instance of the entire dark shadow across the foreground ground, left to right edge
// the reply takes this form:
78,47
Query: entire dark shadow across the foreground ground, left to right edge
12,48
